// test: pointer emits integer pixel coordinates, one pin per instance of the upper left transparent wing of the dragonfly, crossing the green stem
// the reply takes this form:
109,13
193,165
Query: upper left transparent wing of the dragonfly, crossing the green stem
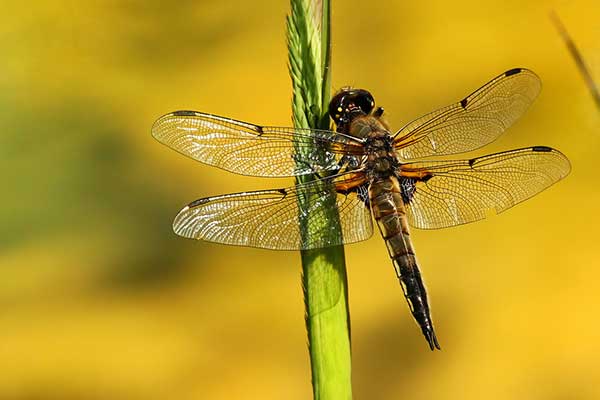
254,150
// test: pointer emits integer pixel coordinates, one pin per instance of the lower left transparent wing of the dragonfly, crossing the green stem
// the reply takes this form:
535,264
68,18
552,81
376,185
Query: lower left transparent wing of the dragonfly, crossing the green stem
271,219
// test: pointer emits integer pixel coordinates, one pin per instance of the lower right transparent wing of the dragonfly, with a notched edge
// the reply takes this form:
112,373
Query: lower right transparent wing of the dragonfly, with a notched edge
452,193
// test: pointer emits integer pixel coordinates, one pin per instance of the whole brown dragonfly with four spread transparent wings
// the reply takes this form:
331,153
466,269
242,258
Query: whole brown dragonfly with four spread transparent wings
363,171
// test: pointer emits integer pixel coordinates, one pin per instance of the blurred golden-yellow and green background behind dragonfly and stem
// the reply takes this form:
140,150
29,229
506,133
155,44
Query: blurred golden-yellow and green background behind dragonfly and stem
100,300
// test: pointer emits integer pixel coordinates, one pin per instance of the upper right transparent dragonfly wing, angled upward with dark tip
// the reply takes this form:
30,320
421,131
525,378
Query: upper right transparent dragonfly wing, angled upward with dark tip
473,122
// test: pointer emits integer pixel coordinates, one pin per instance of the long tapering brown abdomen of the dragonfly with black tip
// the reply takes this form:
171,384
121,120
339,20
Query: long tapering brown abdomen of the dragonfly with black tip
390,214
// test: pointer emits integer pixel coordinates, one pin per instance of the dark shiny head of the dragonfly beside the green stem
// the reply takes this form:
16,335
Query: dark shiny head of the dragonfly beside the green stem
348,104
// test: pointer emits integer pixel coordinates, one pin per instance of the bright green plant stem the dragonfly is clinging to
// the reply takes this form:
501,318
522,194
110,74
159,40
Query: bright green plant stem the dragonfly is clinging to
323,270
